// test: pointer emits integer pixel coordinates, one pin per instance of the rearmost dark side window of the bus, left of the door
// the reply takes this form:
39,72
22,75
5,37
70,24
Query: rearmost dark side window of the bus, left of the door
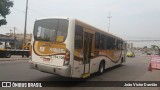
78,37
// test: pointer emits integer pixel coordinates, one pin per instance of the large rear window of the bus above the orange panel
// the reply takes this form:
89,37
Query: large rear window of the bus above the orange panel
49,29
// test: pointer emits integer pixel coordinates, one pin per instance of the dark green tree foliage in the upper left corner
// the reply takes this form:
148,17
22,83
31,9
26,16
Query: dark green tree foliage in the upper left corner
5,6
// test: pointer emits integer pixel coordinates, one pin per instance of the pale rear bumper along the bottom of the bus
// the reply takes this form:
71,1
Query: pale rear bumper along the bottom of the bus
59,70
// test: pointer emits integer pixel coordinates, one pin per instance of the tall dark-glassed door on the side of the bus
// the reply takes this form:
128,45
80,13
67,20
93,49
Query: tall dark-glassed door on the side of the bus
87,45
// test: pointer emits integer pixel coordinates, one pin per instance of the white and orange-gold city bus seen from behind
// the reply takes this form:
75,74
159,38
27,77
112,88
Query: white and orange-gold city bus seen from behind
71,48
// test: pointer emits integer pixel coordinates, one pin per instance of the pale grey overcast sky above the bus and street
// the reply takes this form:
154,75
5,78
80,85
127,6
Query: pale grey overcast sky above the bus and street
131,19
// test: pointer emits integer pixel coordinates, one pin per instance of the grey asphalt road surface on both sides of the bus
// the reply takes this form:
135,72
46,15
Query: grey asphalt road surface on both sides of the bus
135,69
